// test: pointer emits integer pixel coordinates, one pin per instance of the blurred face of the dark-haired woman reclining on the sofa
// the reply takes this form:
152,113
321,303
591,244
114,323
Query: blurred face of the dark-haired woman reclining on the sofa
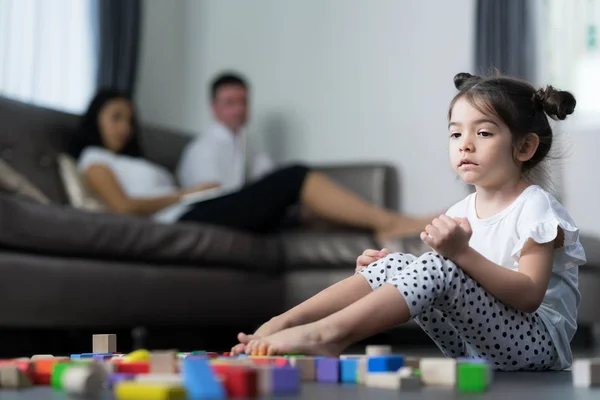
115,124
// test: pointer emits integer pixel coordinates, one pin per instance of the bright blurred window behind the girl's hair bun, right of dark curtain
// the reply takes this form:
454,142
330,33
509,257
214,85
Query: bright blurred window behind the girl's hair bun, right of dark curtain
570,57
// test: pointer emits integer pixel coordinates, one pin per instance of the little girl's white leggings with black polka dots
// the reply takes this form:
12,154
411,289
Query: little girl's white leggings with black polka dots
461,317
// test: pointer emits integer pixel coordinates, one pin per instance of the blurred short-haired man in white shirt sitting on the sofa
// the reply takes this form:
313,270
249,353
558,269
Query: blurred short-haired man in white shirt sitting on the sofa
221,155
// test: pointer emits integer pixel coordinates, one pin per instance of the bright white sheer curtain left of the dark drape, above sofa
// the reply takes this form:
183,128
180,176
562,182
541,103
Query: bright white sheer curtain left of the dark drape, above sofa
47,52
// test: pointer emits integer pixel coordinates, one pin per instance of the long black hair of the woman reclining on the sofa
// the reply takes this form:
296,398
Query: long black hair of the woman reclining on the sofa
88,133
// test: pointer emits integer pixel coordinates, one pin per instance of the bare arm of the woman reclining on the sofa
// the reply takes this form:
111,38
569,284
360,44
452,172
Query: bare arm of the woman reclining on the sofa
105,184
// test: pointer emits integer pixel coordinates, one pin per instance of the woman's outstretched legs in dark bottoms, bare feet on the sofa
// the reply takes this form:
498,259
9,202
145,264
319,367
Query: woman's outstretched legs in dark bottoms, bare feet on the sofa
261,206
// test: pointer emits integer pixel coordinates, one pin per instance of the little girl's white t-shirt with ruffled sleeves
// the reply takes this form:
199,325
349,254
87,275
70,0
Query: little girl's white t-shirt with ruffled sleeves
535,214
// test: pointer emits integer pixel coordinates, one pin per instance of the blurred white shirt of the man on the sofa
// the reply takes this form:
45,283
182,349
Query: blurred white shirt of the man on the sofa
221,156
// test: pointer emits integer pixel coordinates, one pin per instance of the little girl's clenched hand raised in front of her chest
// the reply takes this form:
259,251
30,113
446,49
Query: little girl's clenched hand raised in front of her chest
448,236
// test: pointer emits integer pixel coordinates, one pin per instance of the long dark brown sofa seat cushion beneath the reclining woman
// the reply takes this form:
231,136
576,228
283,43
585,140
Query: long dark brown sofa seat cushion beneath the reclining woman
63,230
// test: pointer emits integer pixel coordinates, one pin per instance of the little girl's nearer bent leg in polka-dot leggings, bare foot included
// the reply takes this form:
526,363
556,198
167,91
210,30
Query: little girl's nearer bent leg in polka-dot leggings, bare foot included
484,327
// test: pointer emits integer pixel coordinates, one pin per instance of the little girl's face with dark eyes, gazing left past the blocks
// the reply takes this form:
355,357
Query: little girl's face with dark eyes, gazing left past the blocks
481,148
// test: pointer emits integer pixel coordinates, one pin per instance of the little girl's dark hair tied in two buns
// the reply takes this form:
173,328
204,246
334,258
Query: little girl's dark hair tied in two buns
519,105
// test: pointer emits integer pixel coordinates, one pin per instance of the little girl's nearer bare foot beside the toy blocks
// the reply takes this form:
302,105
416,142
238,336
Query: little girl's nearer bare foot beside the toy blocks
309,339
